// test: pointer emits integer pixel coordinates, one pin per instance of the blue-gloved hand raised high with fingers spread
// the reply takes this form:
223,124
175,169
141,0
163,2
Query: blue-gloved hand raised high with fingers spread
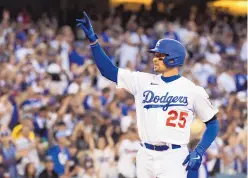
86,26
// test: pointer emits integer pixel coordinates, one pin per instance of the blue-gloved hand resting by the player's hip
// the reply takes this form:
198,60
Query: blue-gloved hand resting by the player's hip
194,161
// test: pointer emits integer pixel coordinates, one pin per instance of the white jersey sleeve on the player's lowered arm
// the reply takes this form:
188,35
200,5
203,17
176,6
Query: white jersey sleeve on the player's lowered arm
202,105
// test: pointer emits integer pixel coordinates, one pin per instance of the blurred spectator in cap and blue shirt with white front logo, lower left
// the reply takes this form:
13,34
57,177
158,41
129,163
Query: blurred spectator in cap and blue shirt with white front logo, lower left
60,153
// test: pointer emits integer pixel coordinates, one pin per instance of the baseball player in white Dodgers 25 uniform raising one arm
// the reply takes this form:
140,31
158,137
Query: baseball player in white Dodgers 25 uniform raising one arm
165,105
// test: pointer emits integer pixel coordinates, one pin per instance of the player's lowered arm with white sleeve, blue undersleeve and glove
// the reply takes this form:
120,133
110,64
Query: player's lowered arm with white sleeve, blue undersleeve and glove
207,113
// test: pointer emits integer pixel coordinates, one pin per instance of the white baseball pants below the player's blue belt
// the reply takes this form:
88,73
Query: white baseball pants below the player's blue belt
161,164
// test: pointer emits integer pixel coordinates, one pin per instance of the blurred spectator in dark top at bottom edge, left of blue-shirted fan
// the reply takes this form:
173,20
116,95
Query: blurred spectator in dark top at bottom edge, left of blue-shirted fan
48,172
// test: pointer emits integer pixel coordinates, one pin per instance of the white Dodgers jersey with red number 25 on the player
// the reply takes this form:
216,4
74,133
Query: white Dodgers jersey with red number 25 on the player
165,110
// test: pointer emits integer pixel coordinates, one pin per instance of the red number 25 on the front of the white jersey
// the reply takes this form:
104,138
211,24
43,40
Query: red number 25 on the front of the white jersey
176,119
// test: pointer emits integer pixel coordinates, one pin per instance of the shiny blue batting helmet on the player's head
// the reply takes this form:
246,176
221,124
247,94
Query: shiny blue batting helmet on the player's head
175,52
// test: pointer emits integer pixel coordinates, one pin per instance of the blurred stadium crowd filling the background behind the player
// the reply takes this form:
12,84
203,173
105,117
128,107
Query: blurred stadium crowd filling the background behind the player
60,118
